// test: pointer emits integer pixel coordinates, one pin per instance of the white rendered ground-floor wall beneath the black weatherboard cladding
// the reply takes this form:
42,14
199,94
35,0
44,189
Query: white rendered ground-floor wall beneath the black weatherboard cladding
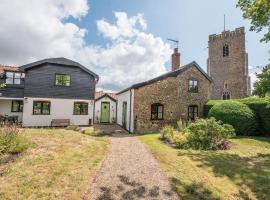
60,109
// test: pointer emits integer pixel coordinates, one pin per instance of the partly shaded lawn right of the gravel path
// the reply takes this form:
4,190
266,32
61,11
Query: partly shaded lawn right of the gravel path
243,172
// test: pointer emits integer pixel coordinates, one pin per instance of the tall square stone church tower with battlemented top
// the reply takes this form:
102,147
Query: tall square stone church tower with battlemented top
227,65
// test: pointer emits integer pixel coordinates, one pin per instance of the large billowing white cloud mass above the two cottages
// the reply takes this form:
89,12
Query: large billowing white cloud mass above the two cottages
32,30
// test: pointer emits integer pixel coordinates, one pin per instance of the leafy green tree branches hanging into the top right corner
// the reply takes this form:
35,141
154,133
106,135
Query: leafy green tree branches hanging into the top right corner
258,11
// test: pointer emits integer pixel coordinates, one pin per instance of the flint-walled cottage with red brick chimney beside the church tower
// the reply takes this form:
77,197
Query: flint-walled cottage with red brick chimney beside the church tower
180,93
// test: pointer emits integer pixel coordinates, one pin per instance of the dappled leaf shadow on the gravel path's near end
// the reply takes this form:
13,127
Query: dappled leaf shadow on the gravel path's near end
131,190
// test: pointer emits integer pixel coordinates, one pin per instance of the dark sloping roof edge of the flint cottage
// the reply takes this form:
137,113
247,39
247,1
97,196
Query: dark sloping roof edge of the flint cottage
169,74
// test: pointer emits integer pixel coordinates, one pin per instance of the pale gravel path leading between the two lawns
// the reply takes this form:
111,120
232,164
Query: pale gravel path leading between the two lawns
129,172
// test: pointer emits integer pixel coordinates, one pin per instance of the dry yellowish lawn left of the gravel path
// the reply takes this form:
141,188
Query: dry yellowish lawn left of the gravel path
58,165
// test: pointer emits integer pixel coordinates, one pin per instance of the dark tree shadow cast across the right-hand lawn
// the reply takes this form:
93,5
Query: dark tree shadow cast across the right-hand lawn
252,172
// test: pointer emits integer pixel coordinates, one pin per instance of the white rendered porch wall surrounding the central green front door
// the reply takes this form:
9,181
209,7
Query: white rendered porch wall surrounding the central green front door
98,109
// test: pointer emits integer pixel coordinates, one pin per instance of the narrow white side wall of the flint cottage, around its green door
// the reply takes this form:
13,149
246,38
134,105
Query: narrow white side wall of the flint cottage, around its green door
125,96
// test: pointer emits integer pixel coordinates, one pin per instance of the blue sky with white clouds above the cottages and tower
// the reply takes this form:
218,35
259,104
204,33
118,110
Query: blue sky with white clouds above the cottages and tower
124,42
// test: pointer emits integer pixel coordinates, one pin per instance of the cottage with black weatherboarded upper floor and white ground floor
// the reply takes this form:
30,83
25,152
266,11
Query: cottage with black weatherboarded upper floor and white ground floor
53,91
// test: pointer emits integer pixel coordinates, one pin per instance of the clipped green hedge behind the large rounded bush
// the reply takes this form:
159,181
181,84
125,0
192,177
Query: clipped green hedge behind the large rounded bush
261,108
